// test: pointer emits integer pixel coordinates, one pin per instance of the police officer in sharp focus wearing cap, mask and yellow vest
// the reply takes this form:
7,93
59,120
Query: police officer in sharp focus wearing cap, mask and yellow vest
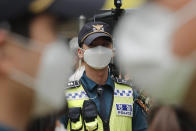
98,101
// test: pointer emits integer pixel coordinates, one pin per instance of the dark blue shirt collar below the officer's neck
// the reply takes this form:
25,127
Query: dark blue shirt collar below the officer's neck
91,84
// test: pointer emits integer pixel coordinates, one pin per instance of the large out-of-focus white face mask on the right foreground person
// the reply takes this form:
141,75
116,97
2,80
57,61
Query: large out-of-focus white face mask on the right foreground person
145,52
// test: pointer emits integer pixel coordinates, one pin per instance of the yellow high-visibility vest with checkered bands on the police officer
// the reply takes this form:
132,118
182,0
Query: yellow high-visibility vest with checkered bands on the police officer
121,111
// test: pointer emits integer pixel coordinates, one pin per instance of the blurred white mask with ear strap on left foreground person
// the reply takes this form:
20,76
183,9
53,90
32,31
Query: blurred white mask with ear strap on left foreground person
49,84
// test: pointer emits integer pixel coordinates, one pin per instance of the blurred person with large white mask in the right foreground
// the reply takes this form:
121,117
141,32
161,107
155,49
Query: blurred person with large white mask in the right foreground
158,49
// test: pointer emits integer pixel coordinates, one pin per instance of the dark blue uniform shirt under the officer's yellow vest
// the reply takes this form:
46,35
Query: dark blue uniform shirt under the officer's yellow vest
139,122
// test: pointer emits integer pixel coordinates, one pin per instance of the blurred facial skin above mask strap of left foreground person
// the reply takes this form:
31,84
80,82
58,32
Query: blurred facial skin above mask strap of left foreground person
23,54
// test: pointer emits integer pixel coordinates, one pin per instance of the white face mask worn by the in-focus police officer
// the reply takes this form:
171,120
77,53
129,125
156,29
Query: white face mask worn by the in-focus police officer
98,57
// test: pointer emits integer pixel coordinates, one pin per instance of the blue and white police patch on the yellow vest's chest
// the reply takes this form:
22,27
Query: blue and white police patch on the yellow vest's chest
124,110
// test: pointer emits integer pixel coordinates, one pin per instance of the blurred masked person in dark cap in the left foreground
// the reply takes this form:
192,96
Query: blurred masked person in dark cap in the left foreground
34,61
